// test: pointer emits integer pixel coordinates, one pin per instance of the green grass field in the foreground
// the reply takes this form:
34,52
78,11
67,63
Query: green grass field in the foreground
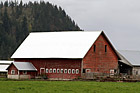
67,87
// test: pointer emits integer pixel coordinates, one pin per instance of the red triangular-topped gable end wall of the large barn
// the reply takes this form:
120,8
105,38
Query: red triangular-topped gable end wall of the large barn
100,61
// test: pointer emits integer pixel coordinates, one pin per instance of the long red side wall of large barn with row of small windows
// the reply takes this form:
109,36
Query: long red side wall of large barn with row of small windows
56,64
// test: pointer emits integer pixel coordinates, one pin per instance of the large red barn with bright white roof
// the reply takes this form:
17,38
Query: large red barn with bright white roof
66,55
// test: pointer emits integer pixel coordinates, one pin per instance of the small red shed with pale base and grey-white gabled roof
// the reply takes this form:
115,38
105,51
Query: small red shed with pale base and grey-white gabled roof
21,70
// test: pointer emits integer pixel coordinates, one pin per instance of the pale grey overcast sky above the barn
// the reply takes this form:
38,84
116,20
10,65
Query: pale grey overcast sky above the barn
119,19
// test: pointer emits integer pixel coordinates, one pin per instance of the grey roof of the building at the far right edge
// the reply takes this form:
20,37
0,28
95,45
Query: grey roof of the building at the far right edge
132,56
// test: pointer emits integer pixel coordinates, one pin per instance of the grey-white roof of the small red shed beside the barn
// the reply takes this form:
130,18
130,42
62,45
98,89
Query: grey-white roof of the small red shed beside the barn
25,66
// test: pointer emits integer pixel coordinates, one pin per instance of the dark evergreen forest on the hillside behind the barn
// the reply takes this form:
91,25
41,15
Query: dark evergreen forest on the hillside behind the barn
18,19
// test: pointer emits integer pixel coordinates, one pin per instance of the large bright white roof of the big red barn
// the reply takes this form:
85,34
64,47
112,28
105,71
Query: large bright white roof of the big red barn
56,44
